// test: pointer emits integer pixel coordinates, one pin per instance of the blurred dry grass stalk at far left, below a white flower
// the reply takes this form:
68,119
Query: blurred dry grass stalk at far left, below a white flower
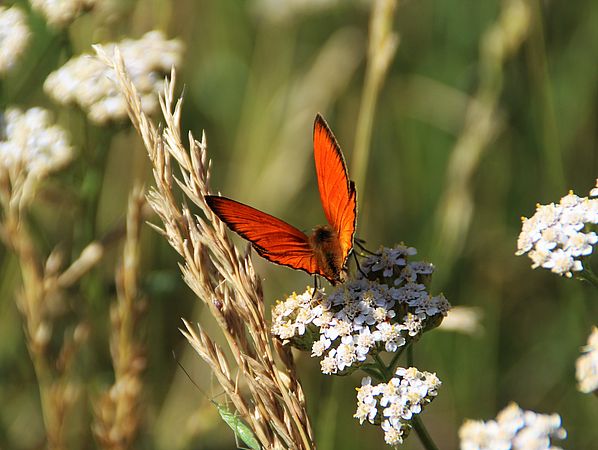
41,301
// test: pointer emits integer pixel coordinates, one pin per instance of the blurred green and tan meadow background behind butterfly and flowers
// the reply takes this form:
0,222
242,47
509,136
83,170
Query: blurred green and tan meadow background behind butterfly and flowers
255,73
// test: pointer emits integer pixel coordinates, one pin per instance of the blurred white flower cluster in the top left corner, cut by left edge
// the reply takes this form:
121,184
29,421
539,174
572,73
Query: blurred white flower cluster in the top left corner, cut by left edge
14,36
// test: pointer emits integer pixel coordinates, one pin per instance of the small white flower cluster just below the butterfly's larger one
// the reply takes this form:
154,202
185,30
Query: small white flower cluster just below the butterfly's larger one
393,404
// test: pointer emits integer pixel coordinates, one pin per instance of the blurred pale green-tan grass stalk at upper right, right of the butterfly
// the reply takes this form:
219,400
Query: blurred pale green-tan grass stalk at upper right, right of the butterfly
482,124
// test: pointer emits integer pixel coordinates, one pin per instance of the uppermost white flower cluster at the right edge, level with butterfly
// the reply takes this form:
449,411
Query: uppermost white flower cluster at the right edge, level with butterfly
554,236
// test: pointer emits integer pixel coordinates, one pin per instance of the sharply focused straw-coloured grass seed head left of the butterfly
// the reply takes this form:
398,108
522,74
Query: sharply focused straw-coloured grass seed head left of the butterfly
221,277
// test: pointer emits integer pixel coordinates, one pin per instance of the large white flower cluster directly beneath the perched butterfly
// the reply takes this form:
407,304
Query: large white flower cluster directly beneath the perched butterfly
363,316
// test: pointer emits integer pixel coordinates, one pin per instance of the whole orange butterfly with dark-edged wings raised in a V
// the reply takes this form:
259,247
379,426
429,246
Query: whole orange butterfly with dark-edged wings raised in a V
326,250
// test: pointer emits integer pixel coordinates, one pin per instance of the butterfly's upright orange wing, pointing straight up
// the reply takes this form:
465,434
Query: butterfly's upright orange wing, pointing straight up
337,192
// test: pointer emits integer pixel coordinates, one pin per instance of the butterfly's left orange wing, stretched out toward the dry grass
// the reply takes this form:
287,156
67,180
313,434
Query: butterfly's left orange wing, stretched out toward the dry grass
272,238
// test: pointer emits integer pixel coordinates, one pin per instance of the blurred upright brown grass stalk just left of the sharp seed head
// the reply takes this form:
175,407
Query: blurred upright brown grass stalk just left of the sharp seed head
118,412
